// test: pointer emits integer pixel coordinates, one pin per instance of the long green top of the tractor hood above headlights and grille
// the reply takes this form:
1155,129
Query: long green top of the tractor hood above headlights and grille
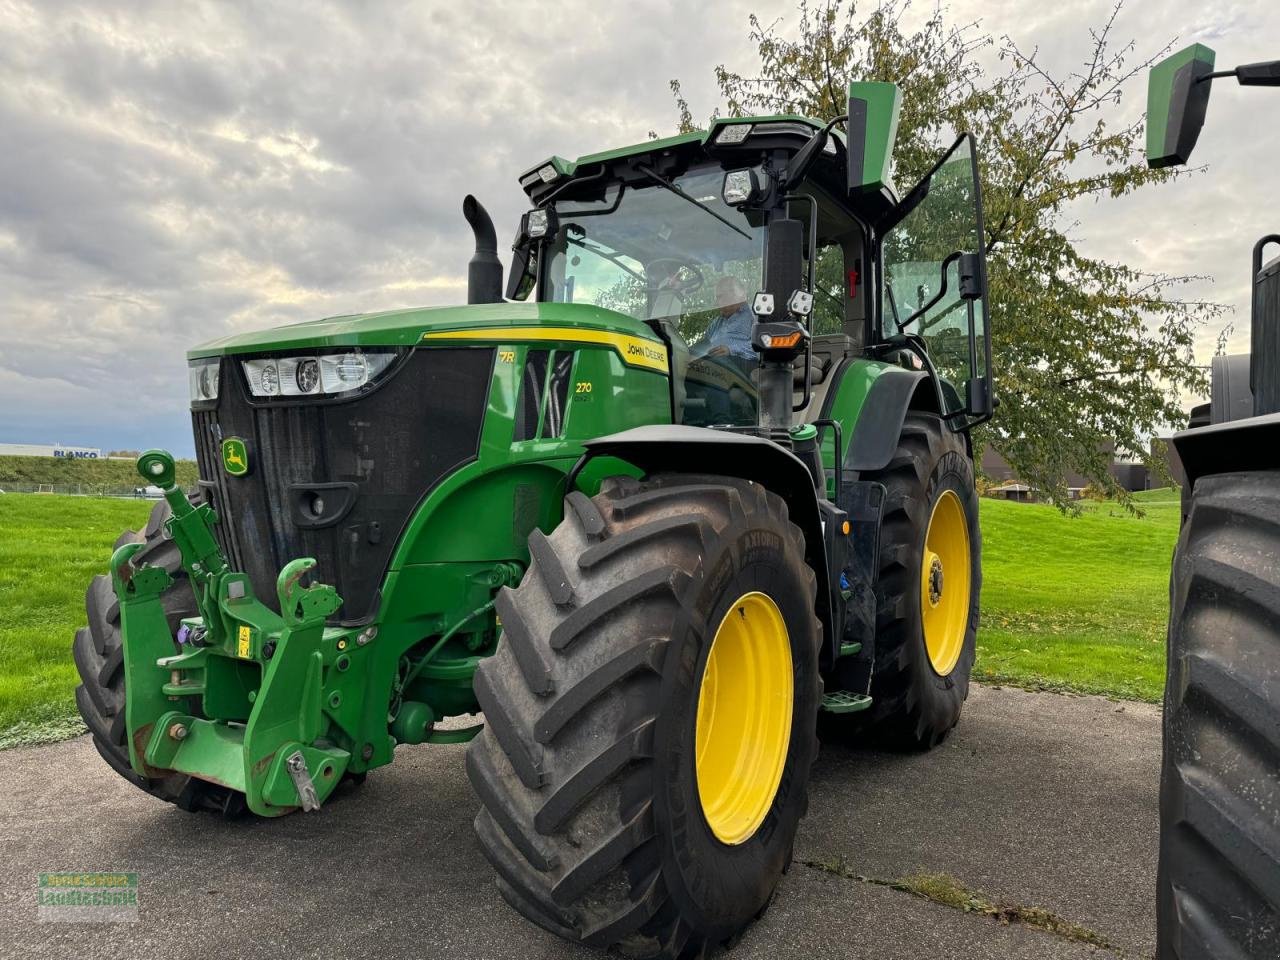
406,328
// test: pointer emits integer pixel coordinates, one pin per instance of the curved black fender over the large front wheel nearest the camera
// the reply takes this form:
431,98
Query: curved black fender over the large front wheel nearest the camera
700,450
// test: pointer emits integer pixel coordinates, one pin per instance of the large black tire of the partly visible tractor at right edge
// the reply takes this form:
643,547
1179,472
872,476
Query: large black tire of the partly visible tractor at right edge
1219,877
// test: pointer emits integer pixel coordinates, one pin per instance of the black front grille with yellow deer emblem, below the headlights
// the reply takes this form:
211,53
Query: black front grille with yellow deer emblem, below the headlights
385,451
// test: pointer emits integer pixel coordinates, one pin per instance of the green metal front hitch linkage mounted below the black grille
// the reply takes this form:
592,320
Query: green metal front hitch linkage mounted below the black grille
269,685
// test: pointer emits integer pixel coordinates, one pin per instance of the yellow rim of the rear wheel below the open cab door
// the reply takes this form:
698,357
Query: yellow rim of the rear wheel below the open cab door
945,583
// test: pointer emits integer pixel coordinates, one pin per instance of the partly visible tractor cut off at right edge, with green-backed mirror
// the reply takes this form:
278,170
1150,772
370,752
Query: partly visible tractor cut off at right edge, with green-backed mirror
1219,879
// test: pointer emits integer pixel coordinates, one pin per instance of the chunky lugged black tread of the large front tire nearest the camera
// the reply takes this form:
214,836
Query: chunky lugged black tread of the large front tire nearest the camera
578,853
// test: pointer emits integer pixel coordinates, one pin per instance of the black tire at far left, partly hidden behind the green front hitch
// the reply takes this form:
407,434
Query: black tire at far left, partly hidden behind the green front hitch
99,656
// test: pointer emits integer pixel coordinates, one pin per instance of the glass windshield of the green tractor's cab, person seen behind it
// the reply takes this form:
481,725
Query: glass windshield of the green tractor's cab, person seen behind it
646,252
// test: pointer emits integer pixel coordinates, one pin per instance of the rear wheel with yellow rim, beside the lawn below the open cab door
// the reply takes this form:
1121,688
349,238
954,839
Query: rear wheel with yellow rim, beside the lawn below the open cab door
927,591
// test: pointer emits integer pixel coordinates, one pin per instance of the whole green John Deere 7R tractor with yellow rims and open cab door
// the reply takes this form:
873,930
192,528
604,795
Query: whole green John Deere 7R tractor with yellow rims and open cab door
700,473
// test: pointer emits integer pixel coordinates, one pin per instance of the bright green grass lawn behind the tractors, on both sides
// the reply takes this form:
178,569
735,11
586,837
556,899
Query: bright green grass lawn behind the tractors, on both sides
1075,604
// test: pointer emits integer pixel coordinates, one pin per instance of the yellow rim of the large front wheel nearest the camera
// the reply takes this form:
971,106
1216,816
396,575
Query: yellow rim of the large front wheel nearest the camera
744,719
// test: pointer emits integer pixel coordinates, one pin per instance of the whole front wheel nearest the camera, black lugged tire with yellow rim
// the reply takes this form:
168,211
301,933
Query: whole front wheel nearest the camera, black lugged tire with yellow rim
664,638
